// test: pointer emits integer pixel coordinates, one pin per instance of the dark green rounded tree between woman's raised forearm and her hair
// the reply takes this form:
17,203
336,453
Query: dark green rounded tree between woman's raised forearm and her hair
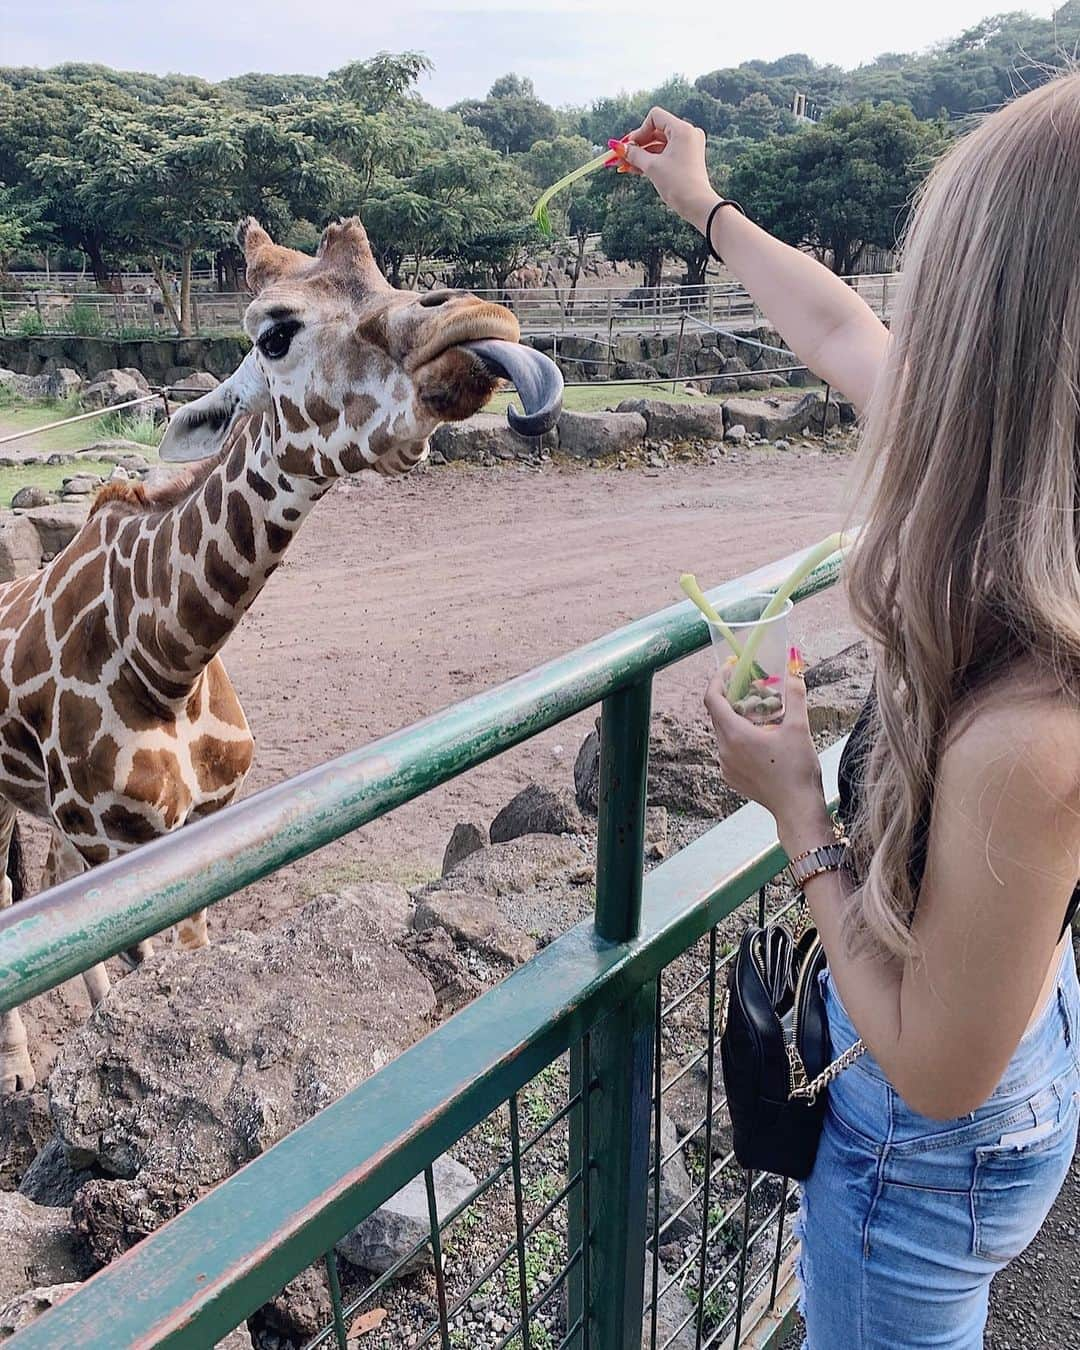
842,186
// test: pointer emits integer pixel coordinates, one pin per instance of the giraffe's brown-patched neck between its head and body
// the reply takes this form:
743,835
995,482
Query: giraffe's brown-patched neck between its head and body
182,580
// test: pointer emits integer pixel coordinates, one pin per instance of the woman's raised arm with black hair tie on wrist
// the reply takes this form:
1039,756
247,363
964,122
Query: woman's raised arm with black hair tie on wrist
824,322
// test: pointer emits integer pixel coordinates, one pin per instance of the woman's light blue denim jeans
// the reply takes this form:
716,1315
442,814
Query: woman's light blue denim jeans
905,1220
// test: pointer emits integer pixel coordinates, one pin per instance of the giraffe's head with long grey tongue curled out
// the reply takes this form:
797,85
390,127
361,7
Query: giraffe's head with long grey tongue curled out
353,373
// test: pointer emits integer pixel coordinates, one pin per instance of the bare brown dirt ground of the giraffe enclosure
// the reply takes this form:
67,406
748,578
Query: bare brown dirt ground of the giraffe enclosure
403,597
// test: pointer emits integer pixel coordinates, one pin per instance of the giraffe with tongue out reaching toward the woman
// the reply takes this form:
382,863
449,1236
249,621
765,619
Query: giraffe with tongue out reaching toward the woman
118,722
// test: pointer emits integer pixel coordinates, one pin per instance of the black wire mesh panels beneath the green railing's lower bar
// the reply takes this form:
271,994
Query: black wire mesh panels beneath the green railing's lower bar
493,1270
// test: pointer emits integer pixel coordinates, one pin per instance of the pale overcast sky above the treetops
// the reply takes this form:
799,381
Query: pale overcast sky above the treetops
574,52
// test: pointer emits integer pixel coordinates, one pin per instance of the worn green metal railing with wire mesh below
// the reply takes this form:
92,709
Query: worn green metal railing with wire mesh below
558,1228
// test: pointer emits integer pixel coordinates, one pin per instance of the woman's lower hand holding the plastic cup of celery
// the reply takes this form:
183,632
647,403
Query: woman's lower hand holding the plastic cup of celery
776,766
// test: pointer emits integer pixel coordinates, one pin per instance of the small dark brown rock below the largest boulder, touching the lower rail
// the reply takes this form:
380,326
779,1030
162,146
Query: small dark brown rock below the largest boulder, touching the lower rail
111,1216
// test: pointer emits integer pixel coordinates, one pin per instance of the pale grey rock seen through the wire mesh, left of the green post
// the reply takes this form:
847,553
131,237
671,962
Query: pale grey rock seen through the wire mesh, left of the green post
394,1231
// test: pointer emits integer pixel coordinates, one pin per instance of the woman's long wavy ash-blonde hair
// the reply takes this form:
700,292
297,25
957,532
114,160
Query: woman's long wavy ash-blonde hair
969,566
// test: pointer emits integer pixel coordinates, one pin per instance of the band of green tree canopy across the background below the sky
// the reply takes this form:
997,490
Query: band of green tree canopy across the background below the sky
125,168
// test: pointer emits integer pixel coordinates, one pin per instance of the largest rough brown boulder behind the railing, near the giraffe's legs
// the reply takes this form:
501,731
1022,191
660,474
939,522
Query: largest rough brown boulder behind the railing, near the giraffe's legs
302,1013
